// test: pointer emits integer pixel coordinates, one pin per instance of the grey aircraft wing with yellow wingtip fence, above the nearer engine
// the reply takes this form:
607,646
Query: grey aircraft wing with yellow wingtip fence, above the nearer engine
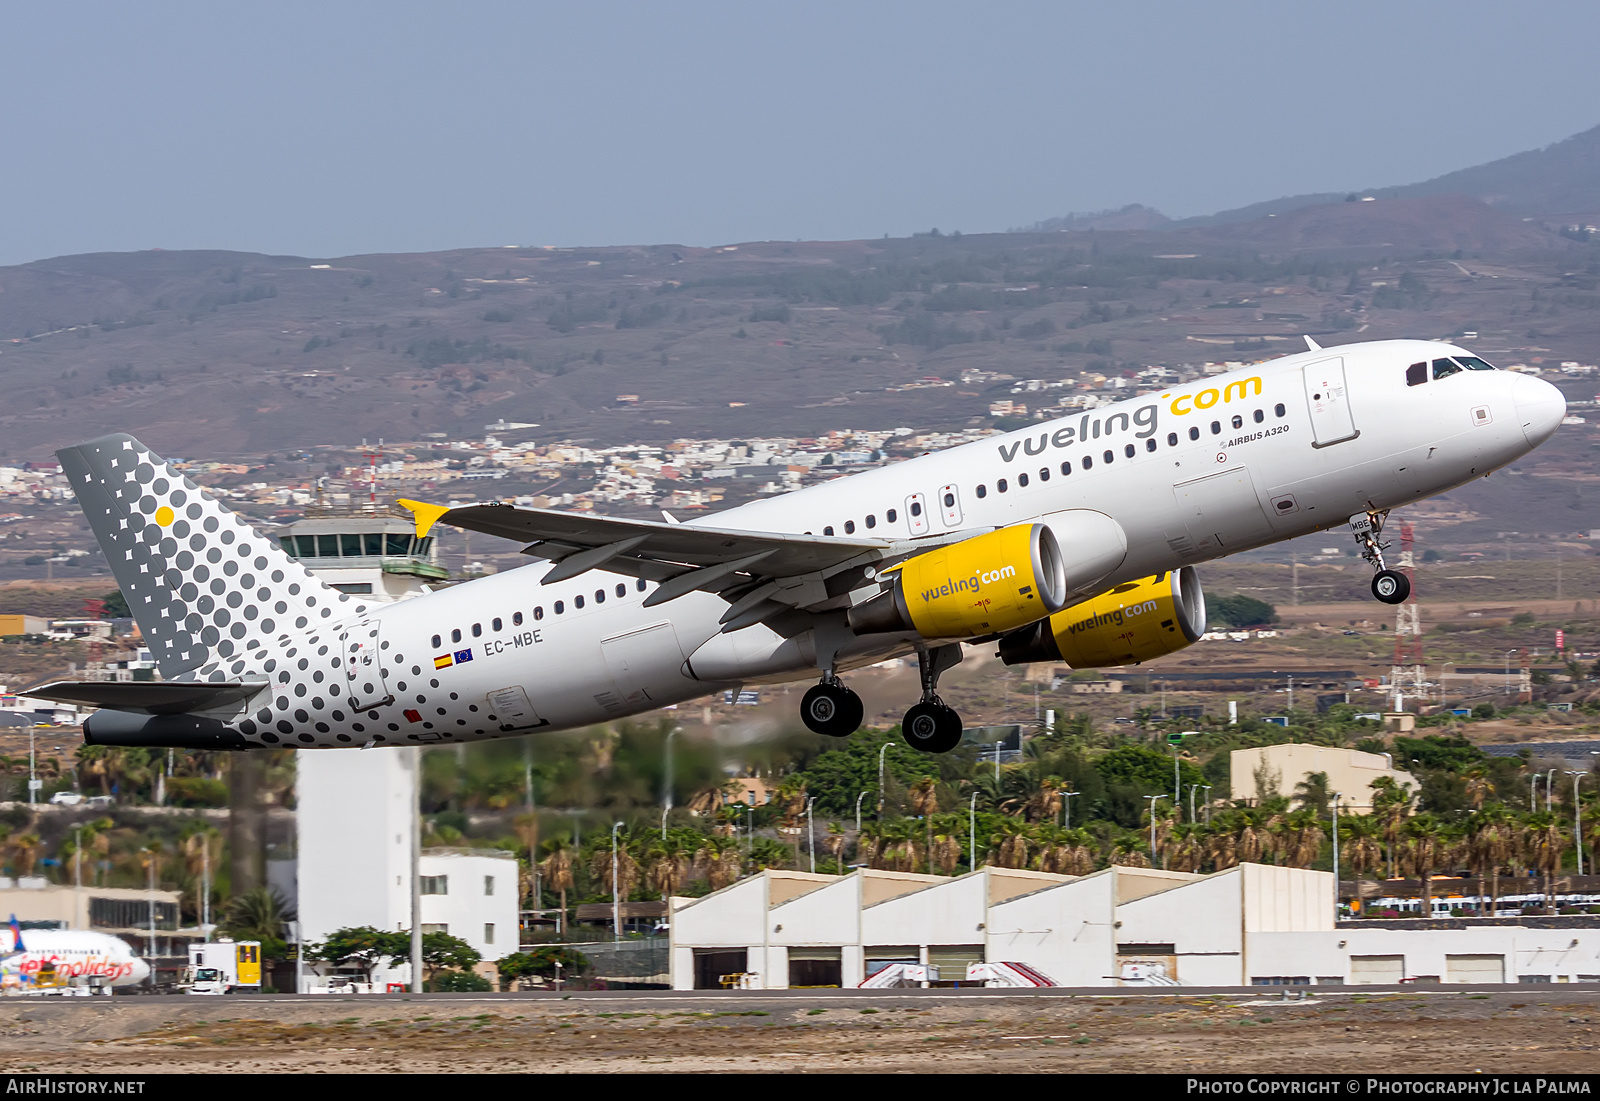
764,574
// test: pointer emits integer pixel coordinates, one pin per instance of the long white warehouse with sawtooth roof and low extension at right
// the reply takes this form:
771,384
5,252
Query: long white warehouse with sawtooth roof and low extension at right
1247,926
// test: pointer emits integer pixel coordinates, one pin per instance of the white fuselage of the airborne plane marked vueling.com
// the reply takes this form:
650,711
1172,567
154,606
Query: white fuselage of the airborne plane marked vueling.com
1191,473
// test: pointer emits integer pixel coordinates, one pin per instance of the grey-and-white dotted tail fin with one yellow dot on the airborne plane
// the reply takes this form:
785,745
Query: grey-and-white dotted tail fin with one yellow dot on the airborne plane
206,588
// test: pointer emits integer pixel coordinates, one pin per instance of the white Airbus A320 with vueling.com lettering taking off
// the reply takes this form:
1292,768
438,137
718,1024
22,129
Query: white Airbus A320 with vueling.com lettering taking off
1070,542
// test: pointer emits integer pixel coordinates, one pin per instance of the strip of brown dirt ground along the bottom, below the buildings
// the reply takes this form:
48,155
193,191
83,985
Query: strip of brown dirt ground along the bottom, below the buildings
1498,1031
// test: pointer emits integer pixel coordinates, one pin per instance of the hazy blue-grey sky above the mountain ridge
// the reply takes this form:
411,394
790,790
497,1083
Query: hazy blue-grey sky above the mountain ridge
338,127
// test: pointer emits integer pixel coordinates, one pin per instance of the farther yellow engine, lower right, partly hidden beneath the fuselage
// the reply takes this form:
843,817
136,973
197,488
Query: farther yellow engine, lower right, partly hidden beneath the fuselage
1132,623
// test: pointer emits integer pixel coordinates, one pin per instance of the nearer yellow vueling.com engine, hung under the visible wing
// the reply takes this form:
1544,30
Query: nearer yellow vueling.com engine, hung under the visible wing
980,587
